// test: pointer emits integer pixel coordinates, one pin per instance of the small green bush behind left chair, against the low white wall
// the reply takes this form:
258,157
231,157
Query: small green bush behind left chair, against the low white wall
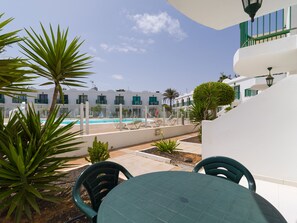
99,151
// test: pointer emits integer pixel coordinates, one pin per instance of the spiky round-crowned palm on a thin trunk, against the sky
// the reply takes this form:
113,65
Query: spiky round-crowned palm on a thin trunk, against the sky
52,58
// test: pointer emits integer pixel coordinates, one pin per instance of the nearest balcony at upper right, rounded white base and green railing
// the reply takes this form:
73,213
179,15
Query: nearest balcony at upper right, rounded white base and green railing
270,41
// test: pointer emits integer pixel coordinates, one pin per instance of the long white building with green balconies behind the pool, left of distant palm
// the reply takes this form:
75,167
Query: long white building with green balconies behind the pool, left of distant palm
109,101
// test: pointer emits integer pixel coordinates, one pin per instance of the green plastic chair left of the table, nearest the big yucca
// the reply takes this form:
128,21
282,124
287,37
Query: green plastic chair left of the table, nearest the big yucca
98,179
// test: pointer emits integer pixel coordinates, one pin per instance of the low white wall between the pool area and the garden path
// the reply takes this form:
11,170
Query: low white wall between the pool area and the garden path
121,139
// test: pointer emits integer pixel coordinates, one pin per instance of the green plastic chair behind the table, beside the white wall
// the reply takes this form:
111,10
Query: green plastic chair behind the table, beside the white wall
226,168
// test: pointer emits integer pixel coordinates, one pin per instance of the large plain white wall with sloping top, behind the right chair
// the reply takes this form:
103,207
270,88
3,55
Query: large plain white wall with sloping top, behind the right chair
261,133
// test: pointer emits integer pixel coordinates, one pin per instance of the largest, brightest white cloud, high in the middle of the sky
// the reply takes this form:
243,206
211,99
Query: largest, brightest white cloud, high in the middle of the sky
162,22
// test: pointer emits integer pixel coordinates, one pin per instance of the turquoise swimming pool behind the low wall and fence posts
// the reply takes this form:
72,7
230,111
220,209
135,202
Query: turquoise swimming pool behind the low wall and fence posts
102,121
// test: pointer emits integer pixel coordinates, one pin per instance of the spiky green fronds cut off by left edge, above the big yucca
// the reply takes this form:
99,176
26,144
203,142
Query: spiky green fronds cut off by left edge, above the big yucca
13,72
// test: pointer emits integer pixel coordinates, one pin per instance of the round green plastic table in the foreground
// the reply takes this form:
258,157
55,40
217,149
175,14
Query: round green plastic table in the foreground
184,197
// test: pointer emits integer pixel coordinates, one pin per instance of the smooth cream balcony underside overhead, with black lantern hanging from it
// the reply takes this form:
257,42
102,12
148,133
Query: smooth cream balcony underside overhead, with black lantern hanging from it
220,14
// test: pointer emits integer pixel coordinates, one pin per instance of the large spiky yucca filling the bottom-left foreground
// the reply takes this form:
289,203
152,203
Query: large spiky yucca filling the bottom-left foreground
30,160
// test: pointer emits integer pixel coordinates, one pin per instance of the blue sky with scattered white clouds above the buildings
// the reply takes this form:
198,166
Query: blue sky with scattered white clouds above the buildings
136,44
